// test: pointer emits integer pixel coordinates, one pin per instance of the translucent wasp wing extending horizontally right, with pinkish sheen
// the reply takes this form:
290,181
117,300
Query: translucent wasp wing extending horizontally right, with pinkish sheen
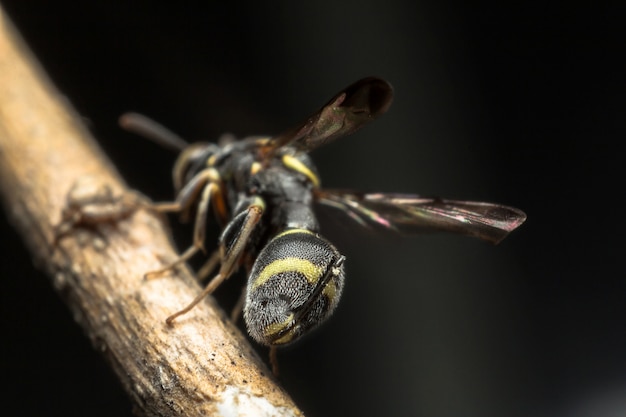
406,213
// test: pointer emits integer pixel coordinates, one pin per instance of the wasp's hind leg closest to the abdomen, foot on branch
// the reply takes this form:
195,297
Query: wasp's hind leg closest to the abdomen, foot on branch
230,251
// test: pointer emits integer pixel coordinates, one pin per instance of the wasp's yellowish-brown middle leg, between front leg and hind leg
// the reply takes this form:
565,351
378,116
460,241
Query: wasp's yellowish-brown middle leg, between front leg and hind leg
199,228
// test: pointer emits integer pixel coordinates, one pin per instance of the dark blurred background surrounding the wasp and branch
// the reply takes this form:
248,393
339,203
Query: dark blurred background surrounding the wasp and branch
522,105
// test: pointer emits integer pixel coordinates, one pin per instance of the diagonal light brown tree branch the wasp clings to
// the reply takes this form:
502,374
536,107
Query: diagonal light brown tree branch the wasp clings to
49,165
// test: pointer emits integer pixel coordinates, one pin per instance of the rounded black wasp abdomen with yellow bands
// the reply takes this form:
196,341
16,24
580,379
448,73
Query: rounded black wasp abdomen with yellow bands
294,286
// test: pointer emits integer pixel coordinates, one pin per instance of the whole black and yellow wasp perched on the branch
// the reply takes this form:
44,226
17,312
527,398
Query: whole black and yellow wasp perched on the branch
263,191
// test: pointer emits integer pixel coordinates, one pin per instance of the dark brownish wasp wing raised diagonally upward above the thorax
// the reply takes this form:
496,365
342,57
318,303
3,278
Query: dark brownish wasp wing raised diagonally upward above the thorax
344,114
